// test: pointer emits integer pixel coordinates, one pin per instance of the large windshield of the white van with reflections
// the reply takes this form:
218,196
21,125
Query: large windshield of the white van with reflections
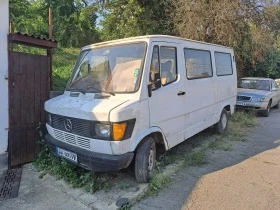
112,69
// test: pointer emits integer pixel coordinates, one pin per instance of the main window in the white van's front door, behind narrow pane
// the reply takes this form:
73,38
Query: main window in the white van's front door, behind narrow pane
168,65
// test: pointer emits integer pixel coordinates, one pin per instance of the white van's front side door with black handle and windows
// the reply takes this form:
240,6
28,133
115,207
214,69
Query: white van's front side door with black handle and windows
167,102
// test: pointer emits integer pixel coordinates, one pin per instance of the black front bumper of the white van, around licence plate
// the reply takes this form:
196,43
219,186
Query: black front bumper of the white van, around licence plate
91,160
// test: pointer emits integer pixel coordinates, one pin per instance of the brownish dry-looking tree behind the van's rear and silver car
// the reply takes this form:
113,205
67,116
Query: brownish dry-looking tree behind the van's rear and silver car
248,26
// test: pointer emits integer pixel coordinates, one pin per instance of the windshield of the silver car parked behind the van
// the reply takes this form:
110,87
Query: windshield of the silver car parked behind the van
254,84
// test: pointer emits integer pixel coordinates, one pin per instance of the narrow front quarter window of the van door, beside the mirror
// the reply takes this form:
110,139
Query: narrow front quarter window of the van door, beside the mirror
154,69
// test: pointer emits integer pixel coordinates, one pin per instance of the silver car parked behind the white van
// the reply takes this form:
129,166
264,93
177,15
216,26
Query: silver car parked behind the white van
257,94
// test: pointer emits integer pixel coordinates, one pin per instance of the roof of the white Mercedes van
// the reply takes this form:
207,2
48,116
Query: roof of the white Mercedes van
141,38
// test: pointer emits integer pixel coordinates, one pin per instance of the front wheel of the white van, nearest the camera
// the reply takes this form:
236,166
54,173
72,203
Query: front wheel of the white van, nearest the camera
145,160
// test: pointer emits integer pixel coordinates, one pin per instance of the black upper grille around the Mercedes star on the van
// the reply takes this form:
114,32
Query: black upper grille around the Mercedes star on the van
79,126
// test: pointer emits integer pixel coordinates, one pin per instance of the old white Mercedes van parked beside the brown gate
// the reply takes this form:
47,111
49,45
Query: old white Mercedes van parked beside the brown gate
127,96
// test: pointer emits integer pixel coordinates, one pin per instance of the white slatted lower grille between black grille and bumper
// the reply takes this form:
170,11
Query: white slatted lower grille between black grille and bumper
72,139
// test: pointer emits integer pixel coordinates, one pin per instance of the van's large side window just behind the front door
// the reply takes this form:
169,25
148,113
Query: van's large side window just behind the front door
198,63
